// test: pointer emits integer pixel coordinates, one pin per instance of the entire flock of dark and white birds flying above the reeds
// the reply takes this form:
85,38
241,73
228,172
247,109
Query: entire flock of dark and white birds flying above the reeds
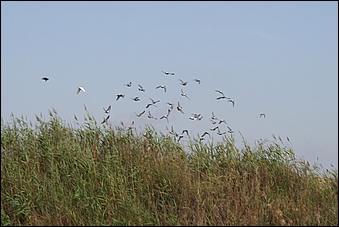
216,122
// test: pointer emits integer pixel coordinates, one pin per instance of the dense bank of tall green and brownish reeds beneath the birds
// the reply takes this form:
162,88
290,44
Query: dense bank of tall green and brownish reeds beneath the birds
53,173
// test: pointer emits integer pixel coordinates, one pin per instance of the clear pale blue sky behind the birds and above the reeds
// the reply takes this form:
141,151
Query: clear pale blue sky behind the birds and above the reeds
280,58
